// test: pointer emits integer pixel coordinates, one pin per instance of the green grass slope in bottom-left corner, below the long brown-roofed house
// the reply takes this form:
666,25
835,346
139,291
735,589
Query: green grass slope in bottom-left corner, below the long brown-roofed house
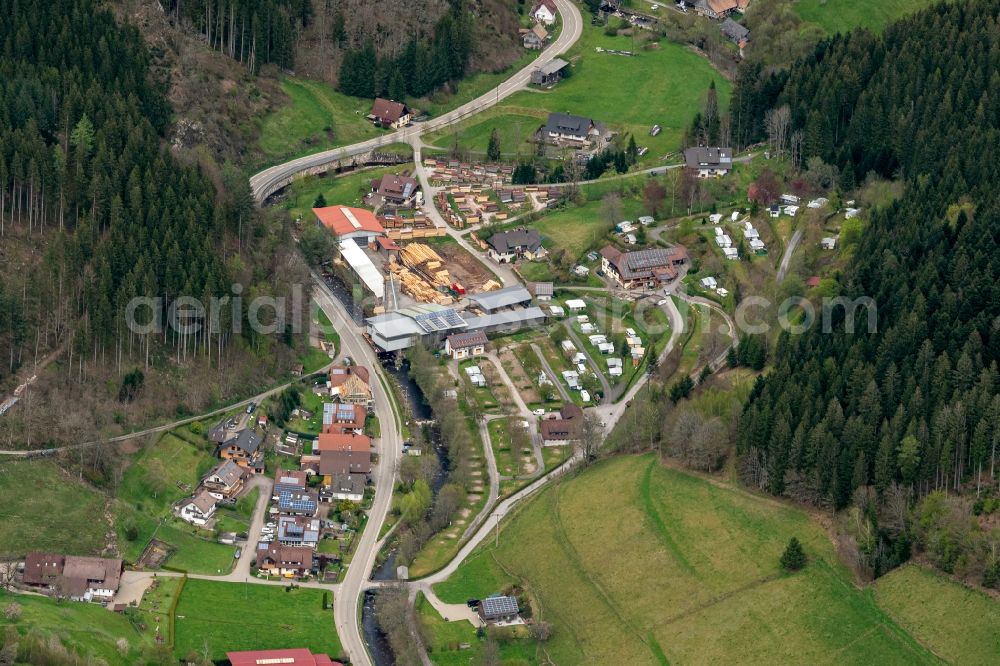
87,629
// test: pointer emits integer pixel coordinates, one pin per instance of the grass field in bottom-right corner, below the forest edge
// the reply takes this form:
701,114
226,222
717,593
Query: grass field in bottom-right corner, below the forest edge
957,623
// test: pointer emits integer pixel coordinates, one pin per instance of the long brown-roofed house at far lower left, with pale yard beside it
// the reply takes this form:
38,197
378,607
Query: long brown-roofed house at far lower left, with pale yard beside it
78,578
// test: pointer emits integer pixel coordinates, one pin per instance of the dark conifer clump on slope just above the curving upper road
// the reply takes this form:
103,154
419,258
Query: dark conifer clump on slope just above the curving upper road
419,68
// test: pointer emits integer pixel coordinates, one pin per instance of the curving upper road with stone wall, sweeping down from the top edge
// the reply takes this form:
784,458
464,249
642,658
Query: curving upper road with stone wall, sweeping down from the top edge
269,181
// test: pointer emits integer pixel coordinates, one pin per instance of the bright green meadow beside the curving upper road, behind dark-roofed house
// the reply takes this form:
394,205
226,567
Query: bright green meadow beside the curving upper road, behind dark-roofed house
670,80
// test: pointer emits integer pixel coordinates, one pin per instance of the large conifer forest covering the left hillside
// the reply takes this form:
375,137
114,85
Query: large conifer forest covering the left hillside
94,208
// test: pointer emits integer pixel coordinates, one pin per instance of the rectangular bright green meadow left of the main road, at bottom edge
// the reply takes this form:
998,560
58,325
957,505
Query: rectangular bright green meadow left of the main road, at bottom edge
216,617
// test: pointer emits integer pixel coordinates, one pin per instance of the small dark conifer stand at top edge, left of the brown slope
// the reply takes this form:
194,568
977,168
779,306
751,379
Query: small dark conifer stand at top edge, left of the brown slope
255,32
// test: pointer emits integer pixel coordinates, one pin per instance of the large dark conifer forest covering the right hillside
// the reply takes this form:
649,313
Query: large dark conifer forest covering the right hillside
916,404
